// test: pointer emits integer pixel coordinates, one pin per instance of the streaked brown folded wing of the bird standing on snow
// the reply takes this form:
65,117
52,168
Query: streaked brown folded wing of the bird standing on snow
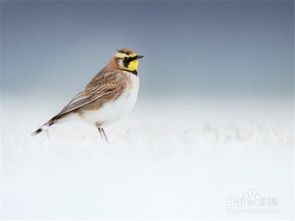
103,87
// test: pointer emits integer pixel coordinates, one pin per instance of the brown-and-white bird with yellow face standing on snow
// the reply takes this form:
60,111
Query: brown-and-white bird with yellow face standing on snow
108,97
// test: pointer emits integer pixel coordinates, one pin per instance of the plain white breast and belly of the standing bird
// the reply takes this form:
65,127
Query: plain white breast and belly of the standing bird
115,110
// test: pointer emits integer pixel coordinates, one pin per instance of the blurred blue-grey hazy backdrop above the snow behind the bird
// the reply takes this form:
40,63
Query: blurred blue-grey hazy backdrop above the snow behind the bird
196,48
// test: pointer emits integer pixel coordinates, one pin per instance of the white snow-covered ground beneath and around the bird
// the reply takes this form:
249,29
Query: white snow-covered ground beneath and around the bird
170,159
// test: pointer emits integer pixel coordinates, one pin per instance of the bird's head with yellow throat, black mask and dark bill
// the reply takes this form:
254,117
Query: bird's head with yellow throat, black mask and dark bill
127,59
